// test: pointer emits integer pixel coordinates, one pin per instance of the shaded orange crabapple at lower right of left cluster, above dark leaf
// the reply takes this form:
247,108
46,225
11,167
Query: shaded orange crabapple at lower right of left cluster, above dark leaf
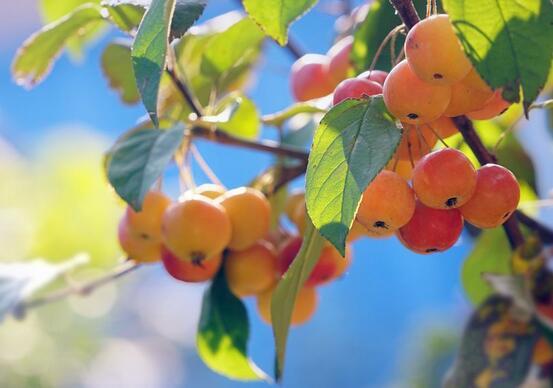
251,271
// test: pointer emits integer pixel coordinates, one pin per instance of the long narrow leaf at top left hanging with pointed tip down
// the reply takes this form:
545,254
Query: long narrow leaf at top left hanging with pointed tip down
149,52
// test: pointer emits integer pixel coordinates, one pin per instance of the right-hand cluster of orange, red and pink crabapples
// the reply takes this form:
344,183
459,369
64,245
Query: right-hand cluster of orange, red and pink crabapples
423,196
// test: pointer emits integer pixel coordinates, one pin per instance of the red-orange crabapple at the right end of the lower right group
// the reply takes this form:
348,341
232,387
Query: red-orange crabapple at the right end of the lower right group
495,198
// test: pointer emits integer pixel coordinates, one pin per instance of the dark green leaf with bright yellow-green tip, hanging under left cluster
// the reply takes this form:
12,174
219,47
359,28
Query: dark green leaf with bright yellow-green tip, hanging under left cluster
223,334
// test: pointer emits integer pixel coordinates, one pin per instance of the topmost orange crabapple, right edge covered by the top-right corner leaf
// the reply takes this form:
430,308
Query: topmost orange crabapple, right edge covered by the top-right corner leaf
434,52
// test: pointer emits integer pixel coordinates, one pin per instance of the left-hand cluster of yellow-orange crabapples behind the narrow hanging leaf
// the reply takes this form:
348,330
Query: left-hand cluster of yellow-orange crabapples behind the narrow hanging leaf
209,228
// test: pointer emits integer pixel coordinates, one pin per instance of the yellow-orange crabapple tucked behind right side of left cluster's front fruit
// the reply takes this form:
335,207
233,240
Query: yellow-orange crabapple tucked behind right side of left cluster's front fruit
249,212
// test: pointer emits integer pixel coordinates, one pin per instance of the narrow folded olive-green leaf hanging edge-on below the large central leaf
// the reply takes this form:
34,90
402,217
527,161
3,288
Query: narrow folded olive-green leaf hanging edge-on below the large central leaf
286,292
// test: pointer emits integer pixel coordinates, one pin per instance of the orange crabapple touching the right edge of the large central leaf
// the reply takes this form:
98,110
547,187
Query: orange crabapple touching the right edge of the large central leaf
387,204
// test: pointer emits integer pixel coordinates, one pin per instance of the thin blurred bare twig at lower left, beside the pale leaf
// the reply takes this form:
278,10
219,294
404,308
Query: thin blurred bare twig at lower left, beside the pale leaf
82,289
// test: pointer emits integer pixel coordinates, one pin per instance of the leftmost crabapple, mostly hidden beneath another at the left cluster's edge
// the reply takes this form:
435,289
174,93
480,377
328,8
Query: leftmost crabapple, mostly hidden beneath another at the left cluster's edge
138,248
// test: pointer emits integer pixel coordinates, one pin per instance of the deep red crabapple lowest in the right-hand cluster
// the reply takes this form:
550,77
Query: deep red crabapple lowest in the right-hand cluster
431,230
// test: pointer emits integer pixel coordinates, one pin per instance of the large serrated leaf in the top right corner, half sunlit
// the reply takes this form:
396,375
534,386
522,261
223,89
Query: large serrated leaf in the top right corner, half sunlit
509,42
